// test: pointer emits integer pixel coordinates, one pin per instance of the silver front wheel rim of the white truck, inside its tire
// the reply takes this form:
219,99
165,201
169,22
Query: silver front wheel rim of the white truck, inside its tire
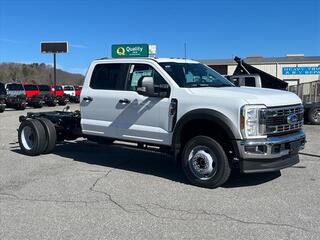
202,162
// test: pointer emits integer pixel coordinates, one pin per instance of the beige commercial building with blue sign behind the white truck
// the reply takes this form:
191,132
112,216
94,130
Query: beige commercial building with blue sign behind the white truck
293,68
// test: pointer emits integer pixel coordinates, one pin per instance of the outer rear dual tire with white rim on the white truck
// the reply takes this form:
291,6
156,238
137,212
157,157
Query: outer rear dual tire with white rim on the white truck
37,137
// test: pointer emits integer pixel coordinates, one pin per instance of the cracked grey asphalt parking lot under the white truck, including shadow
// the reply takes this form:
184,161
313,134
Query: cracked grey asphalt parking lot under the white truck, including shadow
89,191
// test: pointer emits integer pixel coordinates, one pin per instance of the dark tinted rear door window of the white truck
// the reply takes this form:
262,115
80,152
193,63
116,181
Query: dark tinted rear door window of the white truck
109,76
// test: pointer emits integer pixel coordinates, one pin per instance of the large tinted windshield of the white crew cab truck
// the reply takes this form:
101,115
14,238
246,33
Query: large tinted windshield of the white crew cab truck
194,75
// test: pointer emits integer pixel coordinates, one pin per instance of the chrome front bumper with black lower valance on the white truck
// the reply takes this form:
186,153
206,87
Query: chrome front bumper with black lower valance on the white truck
270,154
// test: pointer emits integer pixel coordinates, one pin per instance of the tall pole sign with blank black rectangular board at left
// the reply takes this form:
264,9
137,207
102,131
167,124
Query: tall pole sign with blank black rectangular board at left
54,47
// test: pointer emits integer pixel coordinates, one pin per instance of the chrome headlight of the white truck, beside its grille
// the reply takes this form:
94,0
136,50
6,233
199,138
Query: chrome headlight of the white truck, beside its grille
252,121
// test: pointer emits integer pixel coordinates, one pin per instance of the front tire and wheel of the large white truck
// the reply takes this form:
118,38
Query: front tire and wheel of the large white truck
209,151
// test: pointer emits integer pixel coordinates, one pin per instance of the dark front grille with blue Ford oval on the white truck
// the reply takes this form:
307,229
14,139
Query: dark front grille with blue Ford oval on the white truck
277,119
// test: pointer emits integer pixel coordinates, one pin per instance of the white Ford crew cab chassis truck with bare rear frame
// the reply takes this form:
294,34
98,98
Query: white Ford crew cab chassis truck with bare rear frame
182,107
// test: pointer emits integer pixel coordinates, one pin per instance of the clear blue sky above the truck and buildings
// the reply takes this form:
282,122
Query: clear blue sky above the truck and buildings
212,29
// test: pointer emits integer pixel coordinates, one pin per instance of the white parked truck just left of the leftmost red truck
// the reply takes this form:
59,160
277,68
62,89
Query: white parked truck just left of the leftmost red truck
16,96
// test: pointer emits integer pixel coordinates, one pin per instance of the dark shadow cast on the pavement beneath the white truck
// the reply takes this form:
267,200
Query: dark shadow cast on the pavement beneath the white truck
144,161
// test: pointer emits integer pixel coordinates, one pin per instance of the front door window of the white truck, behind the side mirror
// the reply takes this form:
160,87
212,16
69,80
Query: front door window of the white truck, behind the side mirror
138,71
